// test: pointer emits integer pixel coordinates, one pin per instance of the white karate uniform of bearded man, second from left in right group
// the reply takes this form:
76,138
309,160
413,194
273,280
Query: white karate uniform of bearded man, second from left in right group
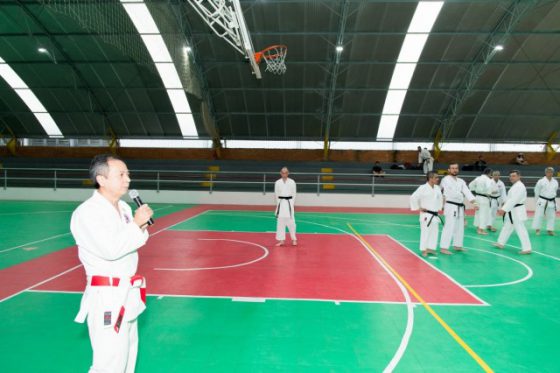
455,191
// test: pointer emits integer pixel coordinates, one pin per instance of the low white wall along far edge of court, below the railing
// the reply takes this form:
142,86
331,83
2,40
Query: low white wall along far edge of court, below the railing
231,198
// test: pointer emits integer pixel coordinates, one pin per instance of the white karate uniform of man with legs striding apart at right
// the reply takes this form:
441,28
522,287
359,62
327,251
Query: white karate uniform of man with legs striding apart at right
517,194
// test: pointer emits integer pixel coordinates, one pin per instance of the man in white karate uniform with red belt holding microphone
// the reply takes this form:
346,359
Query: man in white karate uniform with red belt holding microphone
108,236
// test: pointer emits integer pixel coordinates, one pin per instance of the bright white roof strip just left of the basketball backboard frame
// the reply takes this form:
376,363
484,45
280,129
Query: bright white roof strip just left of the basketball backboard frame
149,32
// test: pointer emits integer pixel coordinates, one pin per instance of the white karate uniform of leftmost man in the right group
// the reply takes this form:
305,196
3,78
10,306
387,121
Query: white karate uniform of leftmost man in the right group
428,198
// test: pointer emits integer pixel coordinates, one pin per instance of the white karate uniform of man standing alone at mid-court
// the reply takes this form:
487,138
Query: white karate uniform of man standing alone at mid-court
285,208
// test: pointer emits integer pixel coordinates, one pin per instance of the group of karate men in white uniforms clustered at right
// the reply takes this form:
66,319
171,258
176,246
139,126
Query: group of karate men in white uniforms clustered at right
491,200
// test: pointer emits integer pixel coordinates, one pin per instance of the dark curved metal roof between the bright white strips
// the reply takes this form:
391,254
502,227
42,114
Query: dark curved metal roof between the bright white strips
97,76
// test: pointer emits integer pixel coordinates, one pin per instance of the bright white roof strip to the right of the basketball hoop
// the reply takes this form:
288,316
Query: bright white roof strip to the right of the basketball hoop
418,31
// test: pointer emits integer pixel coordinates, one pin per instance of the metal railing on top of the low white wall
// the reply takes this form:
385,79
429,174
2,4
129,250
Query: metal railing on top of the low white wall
211,181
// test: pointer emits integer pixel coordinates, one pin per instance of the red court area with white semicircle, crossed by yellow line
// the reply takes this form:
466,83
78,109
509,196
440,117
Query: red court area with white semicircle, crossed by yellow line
322,267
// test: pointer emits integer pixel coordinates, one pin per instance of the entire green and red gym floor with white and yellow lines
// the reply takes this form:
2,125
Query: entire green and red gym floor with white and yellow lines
354,296
